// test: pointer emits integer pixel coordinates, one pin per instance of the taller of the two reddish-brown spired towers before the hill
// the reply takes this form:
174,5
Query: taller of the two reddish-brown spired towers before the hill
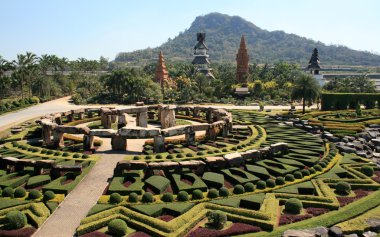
242,59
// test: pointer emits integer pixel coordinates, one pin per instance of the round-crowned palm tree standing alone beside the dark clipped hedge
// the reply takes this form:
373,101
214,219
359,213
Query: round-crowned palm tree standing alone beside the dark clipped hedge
306,88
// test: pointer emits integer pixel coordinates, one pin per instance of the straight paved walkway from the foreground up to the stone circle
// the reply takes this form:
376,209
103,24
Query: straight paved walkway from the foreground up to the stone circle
64,221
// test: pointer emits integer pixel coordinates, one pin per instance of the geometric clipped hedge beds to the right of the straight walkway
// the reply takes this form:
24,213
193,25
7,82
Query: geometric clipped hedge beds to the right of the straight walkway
252,191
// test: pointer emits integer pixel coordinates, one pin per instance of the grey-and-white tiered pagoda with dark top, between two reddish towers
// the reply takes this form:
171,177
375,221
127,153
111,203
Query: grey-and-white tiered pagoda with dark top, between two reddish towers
201,56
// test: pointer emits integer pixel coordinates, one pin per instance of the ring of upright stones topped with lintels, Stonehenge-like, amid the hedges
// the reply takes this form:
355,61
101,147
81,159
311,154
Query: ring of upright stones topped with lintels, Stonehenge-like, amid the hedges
219,121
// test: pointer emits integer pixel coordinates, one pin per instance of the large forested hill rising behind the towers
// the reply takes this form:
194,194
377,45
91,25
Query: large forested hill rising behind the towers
223,34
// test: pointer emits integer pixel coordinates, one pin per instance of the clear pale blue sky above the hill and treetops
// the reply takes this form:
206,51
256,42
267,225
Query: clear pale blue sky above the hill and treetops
94,28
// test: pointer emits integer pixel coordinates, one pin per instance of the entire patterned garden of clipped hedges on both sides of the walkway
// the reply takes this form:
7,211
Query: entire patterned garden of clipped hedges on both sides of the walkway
266,175
